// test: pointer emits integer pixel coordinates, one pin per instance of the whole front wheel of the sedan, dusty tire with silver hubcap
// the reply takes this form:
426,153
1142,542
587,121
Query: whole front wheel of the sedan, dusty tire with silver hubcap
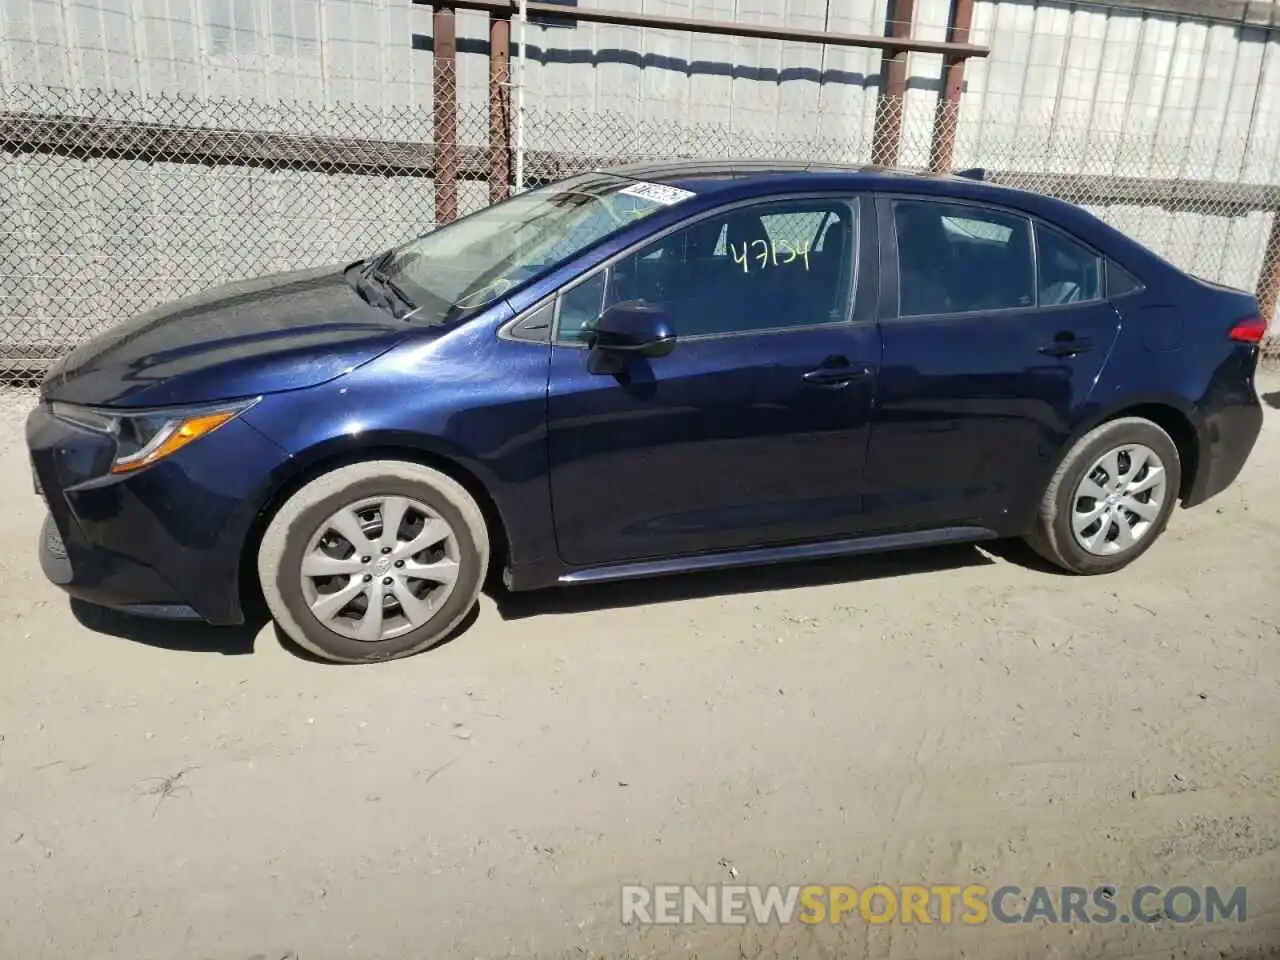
374,561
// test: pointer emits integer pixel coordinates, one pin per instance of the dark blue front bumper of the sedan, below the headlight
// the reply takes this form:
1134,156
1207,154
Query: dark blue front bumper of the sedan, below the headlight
164,542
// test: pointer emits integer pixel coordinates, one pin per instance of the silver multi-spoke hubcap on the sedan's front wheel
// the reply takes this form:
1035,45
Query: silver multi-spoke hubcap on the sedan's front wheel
380,568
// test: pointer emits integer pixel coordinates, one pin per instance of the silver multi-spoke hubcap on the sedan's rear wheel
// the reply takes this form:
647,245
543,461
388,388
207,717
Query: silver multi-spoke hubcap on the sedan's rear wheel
1119,500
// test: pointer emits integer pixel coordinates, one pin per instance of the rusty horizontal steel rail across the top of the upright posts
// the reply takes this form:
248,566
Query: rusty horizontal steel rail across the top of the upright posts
693,25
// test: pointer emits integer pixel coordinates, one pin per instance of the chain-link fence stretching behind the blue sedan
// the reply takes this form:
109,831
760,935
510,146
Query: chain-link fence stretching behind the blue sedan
115,203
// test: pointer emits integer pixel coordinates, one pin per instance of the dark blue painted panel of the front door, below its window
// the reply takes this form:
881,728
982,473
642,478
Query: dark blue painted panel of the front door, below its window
720,446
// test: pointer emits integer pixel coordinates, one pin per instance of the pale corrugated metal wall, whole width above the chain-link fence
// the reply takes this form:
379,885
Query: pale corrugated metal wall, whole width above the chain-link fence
1057,71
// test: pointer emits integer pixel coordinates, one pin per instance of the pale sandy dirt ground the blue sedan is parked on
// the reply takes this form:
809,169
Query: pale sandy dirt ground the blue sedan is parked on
956,716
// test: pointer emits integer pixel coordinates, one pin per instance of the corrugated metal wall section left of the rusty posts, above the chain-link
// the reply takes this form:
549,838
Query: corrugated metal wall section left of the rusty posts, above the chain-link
312,51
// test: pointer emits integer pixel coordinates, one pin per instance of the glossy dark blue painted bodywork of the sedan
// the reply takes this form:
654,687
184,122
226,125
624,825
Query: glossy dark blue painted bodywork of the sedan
865,432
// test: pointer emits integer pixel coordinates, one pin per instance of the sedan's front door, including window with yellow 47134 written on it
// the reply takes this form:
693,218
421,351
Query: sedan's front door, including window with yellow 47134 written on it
753,431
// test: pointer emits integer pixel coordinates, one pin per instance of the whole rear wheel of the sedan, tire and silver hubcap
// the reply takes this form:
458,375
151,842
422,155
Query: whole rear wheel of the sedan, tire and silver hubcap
1110,499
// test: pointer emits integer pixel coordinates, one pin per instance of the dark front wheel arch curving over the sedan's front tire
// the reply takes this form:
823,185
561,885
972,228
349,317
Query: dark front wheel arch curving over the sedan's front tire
319,461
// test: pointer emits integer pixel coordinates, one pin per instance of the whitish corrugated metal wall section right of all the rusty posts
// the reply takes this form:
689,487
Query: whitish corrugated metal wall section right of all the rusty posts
1087,74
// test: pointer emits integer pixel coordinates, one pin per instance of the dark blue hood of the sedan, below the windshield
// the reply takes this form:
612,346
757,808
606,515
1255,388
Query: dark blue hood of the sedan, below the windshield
275,333
